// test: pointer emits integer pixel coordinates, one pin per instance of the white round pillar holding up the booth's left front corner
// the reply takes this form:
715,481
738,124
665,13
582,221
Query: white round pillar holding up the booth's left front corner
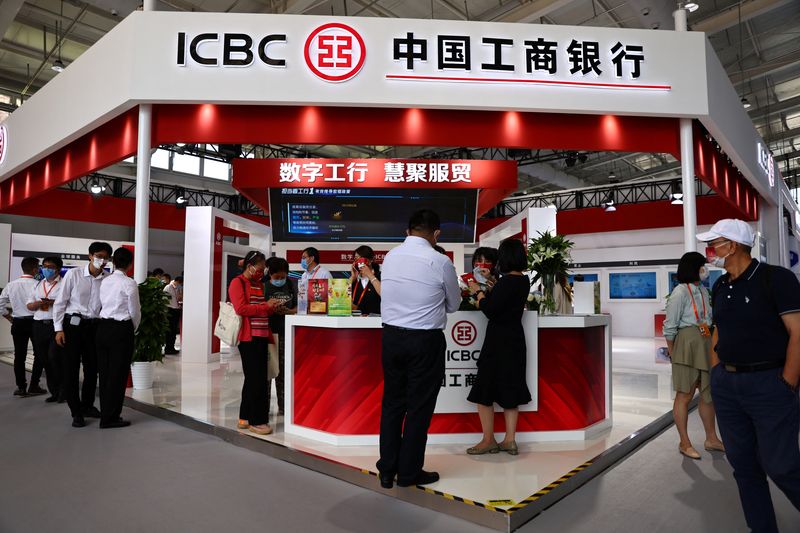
142,224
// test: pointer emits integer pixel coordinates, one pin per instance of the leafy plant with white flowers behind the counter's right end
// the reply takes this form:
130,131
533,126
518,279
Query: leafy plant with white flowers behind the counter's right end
549,257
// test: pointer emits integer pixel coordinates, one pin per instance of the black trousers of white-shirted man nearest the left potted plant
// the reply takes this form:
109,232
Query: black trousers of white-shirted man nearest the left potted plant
114,355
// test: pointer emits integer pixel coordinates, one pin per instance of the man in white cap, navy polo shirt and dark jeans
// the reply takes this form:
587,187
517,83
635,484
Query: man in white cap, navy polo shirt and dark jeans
755,370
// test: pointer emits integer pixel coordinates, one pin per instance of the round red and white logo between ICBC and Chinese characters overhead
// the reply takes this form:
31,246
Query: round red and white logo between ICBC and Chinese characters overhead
335,52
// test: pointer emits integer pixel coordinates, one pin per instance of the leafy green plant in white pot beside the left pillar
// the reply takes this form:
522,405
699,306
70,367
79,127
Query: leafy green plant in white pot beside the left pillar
151,334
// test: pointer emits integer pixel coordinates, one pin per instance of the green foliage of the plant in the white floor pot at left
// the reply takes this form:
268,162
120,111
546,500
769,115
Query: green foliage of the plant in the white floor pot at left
153,328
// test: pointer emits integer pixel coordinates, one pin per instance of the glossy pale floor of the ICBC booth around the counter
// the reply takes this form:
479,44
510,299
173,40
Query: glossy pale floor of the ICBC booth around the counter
641,393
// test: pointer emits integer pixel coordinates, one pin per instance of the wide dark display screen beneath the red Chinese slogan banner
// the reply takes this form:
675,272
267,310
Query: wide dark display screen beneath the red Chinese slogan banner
368,215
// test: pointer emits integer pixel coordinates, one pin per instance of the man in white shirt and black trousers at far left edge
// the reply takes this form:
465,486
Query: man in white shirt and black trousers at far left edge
16,295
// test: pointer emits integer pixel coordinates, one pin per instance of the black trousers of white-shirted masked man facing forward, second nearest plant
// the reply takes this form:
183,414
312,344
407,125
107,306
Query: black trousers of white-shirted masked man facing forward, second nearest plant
81,349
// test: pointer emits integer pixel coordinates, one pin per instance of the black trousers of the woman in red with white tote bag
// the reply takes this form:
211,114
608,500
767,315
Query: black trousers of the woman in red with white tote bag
255,390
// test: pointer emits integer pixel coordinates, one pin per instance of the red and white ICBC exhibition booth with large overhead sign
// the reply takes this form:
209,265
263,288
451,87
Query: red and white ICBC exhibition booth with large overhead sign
302,80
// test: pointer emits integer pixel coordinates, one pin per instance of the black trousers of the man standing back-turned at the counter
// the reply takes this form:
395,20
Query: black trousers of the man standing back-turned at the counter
413,371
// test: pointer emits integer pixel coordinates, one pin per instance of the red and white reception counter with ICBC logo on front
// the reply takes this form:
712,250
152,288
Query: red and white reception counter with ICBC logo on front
334,380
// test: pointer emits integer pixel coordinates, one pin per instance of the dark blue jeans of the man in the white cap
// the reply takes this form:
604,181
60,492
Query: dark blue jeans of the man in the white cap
759,421
